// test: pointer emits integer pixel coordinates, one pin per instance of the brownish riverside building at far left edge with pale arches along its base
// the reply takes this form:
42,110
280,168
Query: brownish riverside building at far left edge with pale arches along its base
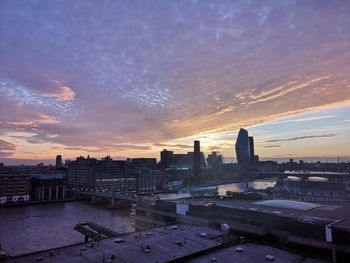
14,187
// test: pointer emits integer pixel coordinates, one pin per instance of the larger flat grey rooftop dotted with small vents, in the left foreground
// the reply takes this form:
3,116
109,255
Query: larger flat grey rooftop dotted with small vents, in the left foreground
157,245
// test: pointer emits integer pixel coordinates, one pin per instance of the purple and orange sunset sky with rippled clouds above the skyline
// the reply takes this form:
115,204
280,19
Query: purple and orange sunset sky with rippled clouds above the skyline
130,78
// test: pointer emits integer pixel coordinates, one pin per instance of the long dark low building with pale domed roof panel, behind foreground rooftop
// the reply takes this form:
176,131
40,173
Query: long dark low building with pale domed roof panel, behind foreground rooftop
321,229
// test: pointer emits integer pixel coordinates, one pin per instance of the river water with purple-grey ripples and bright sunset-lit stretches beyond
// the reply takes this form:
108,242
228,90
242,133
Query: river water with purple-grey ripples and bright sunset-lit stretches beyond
25,229
